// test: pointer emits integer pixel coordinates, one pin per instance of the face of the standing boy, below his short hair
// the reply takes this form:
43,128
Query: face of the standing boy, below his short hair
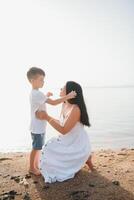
38,81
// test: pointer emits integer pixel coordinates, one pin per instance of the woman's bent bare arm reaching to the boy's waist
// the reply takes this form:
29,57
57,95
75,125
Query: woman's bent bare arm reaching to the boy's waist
73,118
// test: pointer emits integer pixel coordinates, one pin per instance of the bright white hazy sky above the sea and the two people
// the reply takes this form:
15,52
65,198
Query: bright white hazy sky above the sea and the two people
88,41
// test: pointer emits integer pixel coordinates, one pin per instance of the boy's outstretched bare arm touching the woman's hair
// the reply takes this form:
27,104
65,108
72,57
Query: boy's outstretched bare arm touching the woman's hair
71,95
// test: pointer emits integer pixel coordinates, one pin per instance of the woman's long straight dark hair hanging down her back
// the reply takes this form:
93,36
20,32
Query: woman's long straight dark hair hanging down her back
78,100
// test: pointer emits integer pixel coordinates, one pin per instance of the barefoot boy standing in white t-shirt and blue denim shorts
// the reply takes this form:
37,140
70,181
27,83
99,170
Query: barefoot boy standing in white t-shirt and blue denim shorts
38,102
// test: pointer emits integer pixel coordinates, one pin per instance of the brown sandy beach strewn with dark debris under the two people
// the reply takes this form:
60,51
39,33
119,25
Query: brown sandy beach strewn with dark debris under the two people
113,179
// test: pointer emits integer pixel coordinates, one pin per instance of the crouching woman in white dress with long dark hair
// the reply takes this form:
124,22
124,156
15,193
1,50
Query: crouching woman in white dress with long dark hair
63,156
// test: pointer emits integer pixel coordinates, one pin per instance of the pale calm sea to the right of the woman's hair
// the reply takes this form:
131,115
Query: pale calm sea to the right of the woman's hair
112,117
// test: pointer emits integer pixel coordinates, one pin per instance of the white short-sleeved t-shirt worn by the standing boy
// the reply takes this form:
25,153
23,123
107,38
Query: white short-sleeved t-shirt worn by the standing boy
37,101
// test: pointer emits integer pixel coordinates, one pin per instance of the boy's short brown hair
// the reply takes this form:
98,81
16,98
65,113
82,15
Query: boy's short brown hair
33,72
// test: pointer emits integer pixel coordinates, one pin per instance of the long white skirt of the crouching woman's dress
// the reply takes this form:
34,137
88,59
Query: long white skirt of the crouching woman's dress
63,156
